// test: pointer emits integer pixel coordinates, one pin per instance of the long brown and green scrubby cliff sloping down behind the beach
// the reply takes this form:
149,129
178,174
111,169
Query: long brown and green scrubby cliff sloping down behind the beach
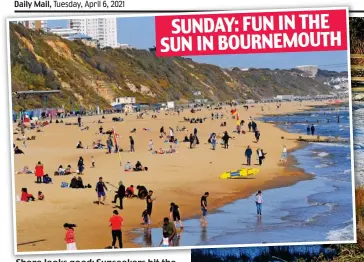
88,76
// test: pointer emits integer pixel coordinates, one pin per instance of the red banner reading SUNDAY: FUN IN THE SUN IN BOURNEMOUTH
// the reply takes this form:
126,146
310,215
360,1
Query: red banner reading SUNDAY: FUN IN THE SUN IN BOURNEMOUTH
246,33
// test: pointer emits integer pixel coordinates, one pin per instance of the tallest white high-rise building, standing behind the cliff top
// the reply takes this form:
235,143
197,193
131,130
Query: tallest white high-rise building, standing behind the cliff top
102,29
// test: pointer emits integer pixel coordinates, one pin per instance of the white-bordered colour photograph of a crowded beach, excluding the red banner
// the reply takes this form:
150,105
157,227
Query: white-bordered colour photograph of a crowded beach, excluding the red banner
116,148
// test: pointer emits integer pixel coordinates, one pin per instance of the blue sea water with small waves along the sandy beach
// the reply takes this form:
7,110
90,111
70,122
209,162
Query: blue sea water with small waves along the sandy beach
317,210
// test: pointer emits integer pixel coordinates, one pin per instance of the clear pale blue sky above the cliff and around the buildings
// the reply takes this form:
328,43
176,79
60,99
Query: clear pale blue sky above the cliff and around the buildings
139,33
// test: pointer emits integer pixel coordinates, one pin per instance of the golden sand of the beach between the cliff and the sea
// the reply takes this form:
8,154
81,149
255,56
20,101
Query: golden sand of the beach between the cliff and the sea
181,177
